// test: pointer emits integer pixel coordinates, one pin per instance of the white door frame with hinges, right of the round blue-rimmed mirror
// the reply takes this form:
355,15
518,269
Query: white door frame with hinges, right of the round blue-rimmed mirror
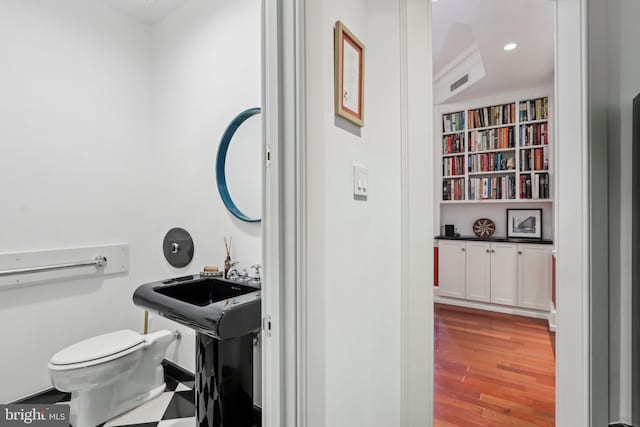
283,207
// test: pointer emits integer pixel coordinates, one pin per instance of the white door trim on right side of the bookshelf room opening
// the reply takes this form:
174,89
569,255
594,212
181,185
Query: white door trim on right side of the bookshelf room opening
572,216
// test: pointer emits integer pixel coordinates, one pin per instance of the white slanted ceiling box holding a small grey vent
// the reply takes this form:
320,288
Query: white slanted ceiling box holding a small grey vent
458,75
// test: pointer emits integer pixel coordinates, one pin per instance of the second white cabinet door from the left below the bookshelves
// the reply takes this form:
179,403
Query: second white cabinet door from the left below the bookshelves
478,271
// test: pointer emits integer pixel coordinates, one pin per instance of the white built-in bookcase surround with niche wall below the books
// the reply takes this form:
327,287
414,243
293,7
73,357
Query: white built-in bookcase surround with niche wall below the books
463,215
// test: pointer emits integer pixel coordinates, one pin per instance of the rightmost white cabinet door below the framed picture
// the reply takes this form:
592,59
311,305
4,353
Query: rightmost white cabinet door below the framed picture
534,276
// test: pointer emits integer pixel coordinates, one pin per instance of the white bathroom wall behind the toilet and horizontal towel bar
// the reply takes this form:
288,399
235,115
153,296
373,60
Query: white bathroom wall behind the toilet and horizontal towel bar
74,171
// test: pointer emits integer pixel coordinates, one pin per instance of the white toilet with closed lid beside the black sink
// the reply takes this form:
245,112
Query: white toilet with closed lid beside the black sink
110,374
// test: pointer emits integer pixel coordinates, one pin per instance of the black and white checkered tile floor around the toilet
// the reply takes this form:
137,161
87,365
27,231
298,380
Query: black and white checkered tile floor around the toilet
173,408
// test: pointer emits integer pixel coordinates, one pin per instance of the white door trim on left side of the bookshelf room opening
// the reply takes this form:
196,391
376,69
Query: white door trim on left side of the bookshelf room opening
417,208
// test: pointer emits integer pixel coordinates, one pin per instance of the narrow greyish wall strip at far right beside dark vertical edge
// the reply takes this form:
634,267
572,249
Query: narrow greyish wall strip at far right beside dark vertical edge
624,85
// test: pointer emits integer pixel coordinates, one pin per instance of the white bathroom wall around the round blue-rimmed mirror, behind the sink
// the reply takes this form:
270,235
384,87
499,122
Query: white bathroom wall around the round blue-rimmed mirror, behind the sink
202,78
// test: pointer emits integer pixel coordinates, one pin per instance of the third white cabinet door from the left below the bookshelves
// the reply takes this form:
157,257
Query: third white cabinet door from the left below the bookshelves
503,273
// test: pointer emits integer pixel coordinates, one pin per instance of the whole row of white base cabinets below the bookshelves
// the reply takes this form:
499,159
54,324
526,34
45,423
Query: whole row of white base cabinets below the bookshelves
506,273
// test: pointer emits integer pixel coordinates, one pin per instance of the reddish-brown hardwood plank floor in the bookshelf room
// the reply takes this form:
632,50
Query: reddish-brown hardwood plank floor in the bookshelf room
492,369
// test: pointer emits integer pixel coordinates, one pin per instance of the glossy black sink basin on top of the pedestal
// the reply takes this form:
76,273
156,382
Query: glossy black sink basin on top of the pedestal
219,308
